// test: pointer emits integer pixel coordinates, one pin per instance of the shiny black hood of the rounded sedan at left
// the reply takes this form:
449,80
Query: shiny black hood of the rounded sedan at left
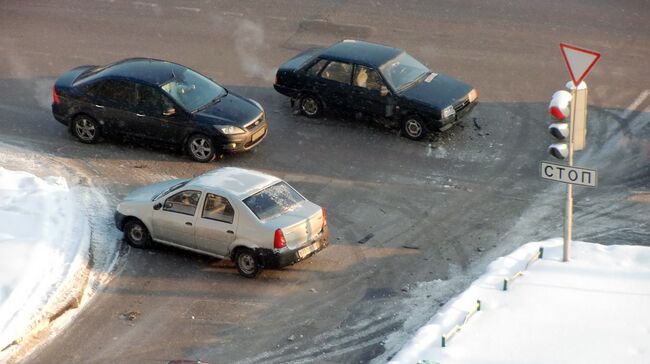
231,109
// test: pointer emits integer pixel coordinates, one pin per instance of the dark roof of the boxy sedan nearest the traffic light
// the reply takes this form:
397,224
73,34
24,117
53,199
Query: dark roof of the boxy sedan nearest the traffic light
361,52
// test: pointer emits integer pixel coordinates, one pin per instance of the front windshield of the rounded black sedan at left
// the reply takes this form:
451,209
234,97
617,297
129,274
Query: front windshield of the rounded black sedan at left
192,90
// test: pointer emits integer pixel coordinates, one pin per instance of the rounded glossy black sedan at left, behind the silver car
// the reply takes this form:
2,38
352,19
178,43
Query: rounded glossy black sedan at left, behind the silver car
159,101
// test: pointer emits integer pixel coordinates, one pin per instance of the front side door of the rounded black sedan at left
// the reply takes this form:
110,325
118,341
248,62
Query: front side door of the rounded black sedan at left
158,117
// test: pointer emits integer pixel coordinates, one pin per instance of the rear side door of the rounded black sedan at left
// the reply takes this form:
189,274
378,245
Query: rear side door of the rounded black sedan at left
113,101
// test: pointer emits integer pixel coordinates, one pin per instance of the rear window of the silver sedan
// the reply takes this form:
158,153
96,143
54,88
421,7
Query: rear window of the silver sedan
273,200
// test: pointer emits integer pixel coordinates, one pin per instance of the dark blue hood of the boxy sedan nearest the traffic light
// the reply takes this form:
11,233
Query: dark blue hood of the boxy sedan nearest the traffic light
440,92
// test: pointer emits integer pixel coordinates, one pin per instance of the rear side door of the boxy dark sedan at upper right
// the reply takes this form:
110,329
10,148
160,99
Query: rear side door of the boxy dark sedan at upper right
333,84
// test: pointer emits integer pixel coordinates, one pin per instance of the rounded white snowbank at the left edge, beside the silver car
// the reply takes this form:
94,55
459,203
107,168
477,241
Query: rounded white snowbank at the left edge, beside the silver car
44,245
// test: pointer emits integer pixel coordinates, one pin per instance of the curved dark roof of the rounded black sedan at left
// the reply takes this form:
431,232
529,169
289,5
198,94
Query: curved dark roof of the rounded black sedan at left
145,70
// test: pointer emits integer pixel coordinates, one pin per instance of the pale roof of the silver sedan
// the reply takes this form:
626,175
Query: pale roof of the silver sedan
239,182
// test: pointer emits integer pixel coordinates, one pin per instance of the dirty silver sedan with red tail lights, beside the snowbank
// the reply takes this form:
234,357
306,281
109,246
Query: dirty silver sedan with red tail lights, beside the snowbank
252,218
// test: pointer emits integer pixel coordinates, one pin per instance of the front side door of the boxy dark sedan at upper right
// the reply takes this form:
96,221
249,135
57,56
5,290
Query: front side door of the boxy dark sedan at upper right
370,94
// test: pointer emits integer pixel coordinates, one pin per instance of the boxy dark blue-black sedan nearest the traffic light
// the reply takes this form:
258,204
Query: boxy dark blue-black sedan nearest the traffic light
383,82
